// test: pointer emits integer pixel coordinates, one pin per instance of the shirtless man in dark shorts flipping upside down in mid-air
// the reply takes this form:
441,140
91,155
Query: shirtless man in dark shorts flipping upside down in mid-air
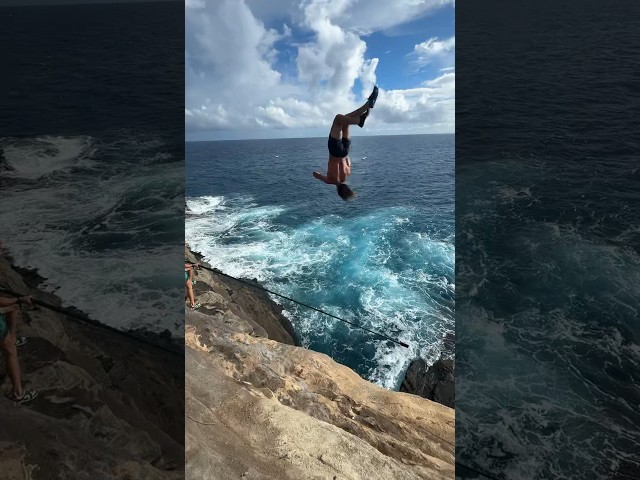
339,167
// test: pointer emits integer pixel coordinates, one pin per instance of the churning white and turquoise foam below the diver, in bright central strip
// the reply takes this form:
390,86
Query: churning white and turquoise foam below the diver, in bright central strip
244,239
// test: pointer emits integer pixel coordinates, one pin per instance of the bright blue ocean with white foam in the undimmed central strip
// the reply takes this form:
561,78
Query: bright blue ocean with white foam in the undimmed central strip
384,261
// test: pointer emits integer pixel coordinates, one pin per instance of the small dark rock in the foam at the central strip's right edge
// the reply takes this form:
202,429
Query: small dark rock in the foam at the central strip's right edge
436,382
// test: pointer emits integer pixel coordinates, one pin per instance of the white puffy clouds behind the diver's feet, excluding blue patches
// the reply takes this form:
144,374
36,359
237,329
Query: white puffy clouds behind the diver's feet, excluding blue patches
233,82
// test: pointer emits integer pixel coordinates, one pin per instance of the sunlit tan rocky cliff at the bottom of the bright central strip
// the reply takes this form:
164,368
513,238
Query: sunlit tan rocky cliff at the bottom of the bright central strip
259,407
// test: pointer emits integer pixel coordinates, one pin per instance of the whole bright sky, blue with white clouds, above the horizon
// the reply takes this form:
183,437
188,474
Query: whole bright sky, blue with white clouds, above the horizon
284,68
